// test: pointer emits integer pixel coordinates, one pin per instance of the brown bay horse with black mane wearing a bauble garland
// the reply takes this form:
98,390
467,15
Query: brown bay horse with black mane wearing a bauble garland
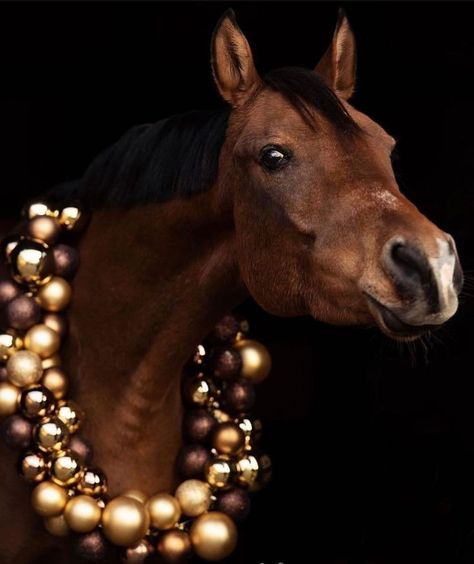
289,196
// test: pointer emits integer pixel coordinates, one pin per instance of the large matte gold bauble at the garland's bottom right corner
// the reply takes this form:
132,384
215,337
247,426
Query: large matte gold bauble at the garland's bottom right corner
213,536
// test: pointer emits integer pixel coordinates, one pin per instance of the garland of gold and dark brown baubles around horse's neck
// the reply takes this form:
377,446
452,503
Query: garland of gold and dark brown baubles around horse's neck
219,462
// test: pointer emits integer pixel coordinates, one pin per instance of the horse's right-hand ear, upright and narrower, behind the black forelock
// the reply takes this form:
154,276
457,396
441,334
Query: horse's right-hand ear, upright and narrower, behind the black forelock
338,64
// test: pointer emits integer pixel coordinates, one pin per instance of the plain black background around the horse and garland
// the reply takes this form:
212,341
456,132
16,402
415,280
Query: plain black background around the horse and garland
372,443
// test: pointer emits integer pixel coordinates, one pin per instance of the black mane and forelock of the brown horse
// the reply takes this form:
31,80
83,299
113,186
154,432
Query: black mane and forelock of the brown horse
178,157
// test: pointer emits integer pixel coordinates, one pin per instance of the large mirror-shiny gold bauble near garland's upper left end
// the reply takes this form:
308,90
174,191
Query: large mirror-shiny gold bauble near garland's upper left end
32,262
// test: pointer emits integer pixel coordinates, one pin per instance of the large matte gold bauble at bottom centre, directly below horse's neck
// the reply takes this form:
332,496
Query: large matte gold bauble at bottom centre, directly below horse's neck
125,521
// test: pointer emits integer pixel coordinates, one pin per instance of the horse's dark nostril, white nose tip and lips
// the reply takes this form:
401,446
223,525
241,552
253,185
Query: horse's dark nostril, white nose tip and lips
427,288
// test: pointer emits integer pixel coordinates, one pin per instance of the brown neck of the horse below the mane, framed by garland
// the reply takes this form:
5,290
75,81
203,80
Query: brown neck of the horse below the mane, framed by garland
153,281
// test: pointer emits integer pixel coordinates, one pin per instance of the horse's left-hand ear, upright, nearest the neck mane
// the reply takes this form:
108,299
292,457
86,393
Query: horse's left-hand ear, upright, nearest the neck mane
232,62
